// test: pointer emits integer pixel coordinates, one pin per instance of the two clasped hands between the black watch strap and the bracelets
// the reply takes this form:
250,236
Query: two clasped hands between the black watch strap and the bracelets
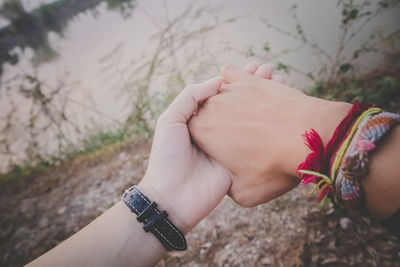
239,134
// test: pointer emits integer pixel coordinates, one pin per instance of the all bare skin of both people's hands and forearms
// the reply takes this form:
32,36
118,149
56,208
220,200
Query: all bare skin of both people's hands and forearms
189,184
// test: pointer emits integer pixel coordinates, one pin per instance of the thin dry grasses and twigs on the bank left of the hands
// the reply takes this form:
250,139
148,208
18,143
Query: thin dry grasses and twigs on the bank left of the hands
49,104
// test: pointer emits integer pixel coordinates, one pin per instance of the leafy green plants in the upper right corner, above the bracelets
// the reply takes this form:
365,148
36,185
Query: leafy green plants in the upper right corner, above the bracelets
338,75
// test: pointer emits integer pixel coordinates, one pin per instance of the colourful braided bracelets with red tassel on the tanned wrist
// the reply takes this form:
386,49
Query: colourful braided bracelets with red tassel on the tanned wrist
338,176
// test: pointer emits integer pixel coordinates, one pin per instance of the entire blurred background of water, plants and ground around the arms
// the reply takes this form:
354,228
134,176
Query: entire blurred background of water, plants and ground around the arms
82,83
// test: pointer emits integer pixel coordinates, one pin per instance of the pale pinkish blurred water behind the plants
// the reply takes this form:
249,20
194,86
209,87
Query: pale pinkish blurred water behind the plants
90,37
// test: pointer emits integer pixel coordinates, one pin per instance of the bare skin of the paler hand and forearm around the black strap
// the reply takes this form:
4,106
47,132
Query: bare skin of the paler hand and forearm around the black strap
180,178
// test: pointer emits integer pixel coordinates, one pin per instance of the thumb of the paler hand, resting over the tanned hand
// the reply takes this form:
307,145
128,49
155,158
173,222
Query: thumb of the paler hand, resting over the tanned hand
186,103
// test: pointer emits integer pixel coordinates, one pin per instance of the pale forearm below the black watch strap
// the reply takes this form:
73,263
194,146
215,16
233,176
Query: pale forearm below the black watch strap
113,239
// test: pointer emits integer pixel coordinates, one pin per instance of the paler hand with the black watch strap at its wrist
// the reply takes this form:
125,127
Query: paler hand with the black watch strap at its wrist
181,178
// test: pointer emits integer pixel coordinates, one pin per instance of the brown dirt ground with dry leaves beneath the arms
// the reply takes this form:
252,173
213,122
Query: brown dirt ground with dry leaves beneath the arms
289,231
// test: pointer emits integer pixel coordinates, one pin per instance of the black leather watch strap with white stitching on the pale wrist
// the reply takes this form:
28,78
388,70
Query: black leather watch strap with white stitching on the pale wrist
154,220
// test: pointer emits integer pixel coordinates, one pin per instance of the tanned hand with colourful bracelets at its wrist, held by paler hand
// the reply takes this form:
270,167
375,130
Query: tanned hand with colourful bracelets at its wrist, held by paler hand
254,128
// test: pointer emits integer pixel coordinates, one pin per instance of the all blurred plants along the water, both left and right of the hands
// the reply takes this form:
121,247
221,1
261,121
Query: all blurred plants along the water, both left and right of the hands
337,77
